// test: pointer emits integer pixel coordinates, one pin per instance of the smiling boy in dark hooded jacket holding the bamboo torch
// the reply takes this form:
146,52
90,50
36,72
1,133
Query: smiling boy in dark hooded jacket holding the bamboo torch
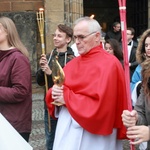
61,38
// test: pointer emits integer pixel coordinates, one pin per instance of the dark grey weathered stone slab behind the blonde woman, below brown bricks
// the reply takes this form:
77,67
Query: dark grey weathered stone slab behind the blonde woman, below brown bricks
27,28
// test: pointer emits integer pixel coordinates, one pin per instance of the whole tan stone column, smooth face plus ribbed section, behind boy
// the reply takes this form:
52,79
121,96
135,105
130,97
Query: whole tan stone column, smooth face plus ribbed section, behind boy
60,11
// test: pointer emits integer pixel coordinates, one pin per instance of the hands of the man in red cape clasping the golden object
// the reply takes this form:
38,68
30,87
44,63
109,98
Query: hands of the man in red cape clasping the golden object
57,94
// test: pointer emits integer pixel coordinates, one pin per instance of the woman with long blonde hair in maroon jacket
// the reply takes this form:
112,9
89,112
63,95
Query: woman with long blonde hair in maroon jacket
15,79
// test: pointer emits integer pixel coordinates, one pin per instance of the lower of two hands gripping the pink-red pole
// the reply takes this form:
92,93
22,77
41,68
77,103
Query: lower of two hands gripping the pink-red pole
139,134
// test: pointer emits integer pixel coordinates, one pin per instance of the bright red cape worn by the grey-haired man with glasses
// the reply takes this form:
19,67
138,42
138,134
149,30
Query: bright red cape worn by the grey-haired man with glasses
94,92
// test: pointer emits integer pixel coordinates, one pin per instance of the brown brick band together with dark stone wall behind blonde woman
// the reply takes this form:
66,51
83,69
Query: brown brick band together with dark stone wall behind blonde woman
23,13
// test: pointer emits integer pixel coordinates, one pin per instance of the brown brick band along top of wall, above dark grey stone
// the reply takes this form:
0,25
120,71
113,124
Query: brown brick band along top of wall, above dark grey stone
20,5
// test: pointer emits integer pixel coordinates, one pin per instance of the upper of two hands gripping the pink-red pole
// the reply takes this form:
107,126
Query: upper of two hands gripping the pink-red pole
129,118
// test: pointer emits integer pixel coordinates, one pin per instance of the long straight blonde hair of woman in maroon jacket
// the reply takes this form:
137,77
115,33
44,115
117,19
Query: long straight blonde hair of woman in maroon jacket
12,35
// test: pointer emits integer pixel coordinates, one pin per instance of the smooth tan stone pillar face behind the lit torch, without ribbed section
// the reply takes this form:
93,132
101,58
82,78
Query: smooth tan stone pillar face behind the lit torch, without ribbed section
54,14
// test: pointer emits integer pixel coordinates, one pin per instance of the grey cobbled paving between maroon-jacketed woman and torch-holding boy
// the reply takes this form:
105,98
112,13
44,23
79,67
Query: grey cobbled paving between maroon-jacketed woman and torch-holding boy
37,137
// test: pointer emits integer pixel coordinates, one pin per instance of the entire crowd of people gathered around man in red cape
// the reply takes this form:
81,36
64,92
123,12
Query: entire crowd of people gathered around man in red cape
94,109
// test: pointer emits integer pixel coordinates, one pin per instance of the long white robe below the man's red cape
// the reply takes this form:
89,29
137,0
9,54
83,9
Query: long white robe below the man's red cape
71,136
